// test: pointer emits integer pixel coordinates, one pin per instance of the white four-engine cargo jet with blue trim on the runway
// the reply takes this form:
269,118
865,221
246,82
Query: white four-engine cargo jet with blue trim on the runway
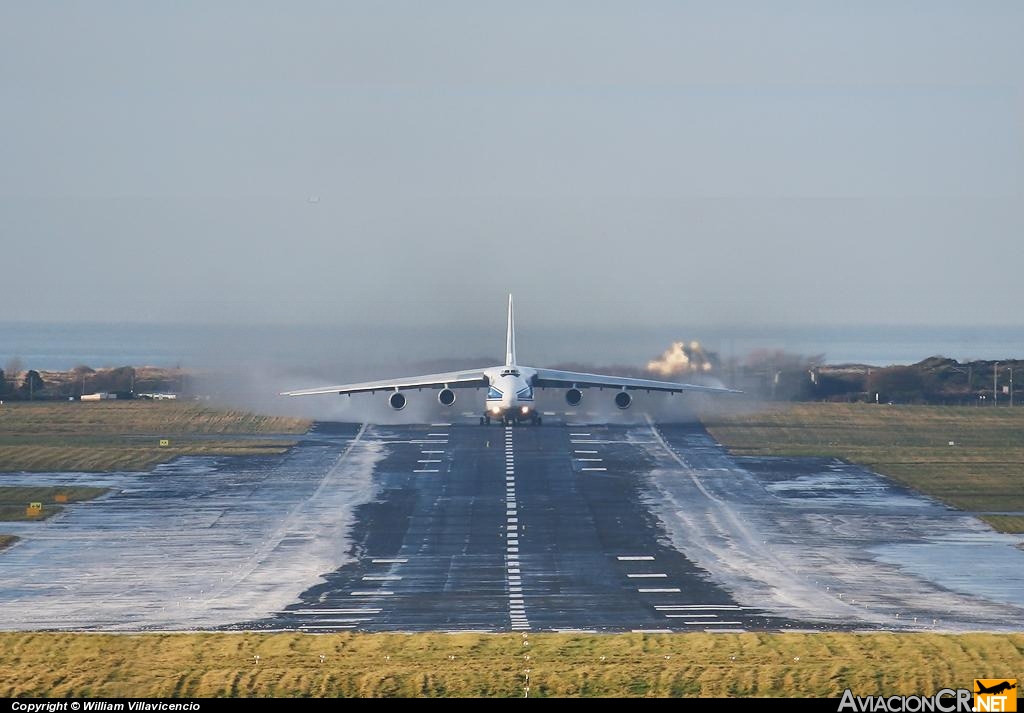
510,388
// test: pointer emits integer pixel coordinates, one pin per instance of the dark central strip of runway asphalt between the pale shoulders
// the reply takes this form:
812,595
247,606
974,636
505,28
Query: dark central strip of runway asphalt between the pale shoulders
441,546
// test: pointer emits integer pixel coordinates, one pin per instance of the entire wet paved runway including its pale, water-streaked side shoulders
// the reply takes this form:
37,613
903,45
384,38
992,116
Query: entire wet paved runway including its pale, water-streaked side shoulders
455,528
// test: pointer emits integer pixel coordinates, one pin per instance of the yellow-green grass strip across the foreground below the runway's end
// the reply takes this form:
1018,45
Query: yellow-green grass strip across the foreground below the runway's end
441,665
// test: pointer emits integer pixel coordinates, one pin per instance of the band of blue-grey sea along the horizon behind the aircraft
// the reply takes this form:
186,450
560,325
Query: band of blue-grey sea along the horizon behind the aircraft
57,347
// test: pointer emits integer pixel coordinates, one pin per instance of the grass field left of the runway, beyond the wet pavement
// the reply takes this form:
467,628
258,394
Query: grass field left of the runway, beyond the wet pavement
125,436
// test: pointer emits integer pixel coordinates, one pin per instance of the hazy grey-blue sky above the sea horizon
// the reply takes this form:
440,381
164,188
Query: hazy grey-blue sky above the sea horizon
651,163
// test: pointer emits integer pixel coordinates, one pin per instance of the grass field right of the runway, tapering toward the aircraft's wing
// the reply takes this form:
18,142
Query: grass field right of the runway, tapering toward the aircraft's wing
983,472
